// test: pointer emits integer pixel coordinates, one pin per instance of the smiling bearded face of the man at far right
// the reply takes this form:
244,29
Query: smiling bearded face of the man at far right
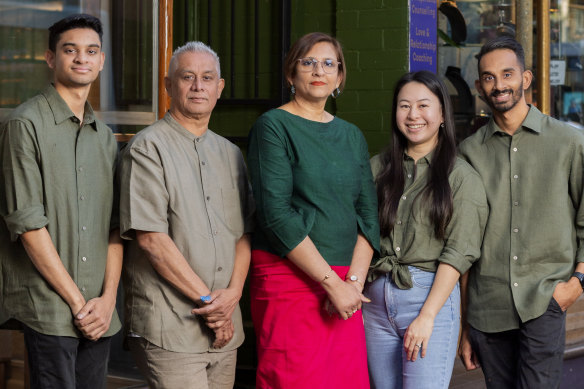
502,80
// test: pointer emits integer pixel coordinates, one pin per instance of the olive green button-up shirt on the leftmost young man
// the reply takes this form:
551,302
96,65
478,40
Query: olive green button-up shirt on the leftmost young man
59,174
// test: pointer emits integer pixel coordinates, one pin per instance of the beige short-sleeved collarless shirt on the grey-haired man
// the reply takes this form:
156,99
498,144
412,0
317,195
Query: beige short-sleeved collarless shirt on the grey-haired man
195,189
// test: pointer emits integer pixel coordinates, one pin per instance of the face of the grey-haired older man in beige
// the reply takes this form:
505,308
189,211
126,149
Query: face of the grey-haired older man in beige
194,86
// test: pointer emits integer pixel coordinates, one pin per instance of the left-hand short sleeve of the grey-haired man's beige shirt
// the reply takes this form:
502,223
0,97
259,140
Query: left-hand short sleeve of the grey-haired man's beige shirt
143,194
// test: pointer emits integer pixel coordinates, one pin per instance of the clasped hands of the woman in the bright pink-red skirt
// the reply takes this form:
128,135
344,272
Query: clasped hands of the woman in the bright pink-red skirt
344,297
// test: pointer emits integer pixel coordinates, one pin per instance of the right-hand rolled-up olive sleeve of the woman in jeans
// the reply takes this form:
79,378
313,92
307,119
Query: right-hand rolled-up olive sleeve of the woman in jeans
464,234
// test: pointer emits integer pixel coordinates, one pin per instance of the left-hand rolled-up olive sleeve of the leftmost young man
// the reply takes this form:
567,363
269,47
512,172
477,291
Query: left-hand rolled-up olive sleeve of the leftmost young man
21,180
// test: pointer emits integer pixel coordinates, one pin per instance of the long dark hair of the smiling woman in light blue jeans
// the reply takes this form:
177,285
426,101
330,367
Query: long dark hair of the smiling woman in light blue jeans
391,181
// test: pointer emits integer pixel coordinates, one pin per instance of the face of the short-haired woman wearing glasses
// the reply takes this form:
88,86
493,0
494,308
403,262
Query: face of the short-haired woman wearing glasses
315,85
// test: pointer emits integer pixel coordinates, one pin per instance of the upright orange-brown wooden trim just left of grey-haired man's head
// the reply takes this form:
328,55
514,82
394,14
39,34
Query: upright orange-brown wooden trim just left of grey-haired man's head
164,52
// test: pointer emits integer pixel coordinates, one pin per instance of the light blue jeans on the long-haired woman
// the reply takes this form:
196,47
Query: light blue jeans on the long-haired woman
387,317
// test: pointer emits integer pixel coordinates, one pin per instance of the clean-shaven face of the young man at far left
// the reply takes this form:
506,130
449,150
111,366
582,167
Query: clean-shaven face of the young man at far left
78,58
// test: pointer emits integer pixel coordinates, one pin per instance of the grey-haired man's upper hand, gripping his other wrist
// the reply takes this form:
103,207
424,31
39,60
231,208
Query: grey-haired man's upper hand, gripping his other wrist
219,310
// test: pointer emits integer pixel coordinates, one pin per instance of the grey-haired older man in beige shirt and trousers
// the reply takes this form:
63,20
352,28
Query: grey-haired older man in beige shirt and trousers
187,209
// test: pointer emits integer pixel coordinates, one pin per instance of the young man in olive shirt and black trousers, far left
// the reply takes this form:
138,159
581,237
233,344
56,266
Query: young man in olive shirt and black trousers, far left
60,257
